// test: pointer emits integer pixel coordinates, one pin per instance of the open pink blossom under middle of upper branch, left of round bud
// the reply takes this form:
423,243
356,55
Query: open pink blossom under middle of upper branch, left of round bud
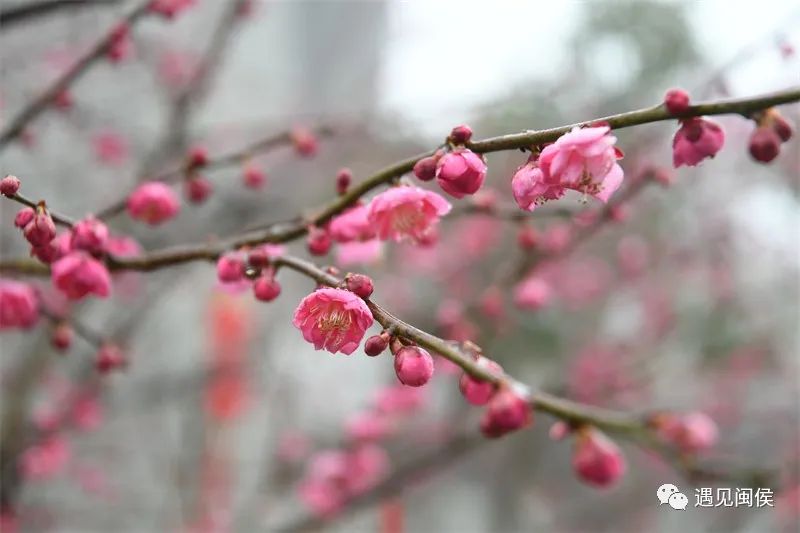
406,213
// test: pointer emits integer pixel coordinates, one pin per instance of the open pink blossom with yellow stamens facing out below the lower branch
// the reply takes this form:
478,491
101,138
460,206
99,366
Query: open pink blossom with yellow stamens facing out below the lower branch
333,319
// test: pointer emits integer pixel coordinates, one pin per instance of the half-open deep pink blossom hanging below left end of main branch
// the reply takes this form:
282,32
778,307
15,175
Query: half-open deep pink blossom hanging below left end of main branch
78,274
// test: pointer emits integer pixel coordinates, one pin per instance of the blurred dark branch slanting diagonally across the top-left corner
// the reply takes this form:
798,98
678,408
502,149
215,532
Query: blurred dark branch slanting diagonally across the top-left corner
38,105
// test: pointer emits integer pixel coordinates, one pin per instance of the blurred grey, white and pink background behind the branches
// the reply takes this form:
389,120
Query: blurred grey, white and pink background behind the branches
688,301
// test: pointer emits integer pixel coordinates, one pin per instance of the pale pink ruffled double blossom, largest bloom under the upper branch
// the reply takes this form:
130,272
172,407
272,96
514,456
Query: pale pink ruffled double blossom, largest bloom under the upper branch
584,160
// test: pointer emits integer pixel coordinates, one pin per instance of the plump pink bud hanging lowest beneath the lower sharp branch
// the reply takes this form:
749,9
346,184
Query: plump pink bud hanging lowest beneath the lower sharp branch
597,460
